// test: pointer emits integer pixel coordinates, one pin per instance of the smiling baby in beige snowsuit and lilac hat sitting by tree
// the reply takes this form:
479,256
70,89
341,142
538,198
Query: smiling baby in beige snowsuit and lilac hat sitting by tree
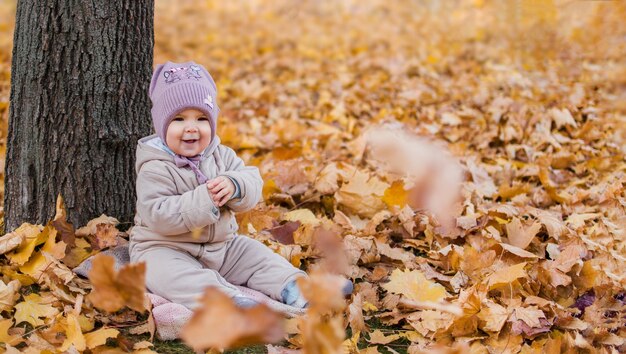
188,186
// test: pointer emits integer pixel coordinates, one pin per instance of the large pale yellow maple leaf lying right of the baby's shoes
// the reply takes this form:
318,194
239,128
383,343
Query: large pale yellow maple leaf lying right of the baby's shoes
414,285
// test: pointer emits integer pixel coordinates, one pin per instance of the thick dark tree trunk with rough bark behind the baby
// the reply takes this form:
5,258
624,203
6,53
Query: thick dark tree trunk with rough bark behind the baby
79,102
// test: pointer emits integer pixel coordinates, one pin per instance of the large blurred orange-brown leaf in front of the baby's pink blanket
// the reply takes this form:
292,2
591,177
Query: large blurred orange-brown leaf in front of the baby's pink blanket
219,323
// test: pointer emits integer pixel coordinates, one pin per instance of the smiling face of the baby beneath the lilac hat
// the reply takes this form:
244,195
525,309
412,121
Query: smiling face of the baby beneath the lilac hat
189,133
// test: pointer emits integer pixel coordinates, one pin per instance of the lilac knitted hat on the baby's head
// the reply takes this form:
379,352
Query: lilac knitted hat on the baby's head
178,86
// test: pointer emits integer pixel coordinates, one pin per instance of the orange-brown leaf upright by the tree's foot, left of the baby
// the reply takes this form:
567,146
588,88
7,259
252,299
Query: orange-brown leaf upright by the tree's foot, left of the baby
114,290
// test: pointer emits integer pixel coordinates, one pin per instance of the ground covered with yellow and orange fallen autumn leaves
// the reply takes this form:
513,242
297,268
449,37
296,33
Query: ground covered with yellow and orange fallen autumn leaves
463,163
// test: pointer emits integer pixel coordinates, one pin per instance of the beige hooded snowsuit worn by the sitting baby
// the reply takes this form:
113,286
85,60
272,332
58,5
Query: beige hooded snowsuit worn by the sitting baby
187,242
